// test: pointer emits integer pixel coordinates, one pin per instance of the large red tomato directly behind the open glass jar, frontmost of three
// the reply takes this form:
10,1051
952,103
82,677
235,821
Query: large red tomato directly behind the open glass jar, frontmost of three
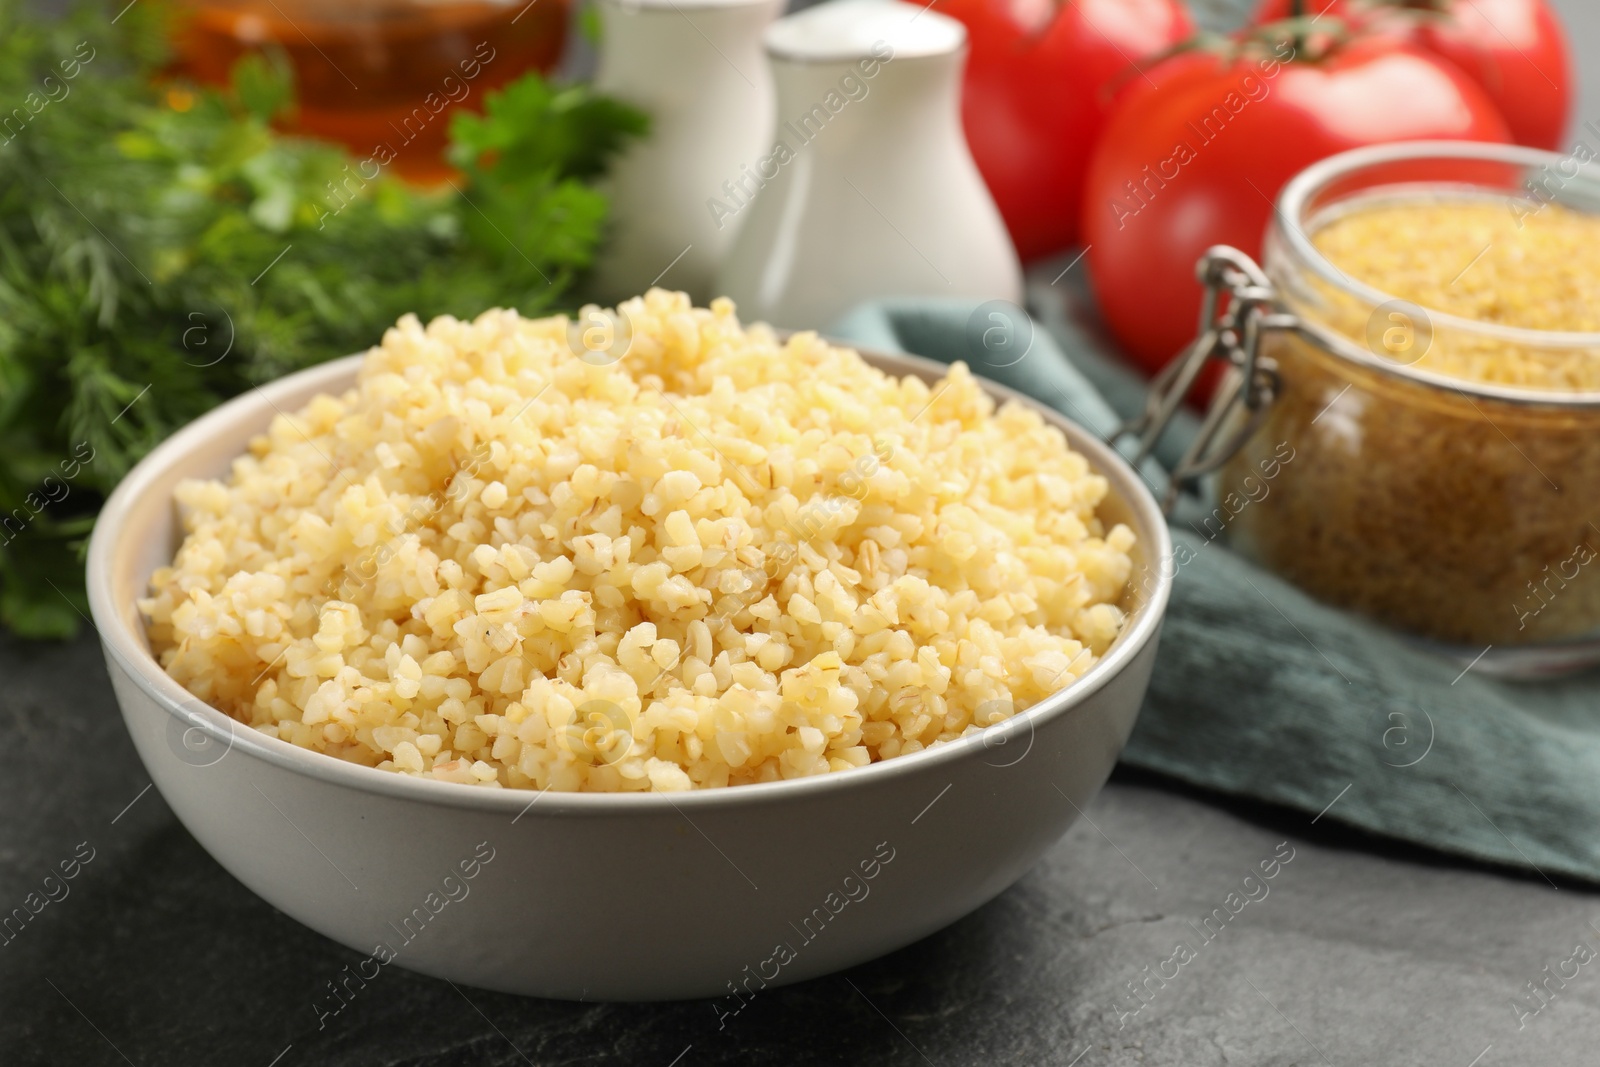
1196,156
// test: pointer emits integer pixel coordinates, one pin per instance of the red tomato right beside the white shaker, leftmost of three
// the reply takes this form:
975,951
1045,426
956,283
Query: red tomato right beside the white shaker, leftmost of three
1041,78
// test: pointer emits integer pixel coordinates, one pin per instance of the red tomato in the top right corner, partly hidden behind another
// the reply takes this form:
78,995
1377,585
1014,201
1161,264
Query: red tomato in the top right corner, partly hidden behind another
1514,49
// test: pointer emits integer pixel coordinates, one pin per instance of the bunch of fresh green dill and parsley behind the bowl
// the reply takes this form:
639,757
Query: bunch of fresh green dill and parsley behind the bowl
164,249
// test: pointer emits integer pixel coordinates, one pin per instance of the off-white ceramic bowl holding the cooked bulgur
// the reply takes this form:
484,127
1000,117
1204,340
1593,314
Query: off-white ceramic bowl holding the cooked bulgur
644,897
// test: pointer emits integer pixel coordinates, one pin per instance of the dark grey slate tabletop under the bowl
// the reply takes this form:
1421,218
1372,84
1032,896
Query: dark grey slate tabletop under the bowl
1359,954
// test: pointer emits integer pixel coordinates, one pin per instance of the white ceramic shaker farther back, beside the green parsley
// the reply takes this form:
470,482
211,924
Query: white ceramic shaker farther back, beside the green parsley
698,70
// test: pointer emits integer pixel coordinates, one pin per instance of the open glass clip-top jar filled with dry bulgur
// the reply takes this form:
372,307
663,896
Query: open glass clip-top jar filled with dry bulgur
1420,366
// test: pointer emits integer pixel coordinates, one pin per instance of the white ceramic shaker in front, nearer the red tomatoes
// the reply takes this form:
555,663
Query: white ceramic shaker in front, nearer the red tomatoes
870,188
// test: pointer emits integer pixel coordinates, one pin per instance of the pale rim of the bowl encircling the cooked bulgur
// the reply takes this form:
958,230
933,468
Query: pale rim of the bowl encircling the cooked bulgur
129,652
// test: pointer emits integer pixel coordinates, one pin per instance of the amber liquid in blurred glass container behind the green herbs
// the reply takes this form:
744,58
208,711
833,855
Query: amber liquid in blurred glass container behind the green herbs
382,76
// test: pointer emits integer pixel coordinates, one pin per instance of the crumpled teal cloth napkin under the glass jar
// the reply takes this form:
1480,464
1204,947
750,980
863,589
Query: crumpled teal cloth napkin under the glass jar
1262,692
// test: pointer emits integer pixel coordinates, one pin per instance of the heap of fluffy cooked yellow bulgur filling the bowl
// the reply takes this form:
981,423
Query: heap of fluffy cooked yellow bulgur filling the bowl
719,559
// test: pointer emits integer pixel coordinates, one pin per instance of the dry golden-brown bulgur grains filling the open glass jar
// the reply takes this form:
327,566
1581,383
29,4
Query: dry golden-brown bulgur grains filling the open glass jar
1433,510
